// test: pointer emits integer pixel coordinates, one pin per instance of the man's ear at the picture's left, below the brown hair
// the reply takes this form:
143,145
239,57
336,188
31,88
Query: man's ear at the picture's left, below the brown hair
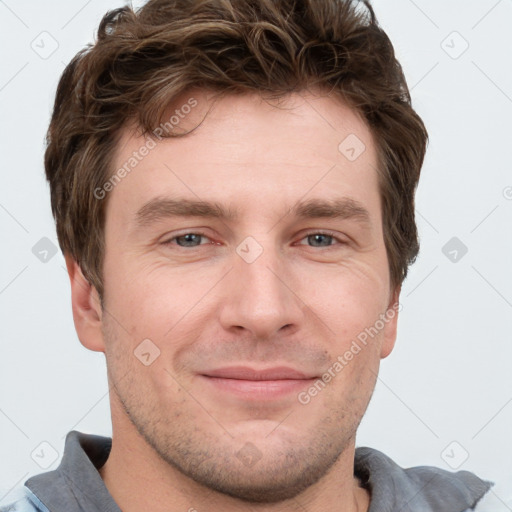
87,312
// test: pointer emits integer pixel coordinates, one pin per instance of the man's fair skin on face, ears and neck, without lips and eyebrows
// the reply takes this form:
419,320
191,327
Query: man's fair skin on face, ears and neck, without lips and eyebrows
300,304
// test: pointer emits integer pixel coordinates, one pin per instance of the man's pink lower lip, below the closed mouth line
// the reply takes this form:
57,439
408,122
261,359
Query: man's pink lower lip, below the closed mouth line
259,389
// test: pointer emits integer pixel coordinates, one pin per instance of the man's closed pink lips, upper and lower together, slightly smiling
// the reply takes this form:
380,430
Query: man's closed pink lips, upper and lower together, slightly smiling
257,385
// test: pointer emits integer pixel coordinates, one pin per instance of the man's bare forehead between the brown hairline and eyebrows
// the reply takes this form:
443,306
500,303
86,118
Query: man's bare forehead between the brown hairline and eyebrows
246,151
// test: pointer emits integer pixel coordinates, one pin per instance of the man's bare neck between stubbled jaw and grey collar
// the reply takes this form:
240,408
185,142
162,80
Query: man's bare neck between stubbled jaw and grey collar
139,480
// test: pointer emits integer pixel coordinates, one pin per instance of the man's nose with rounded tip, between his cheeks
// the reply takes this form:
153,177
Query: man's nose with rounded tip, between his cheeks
261,297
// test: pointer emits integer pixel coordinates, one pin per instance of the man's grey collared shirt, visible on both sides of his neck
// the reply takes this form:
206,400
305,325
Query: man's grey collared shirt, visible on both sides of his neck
76,485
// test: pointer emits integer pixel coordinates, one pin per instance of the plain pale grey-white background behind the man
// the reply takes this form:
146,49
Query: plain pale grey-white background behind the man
444,397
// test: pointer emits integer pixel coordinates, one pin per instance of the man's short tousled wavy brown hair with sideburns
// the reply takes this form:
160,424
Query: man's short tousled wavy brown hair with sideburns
144,59
